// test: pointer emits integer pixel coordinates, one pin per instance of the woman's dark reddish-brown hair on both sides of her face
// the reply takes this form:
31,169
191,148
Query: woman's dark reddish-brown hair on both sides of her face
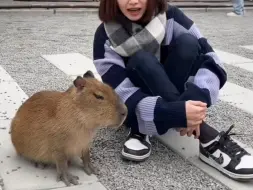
109,9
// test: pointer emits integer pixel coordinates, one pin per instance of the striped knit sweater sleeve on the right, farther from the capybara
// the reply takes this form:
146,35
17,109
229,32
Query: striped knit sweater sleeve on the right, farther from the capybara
211,76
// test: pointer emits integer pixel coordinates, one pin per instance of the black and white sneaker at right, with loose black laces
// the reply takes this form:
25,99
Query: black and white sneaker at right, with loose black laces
227,157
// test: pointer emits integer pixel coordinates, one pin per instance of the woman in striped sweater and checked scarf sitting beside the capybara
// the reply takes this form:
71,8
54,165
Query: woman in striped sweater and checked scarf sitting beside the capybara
166,72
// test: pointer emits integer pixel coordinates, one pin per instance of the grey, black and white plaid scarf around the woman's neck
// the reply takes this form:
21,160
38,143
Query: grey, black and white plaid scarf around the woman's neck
127,38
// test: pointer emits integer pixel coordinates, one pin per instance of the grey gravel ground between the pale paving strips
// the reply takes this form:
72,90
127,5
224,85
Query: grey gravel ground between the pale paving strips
24,36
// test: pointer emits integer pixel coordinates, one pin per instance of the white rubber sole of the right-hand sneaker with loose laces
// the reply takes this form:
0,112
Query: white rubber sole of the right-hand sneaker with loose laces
224,171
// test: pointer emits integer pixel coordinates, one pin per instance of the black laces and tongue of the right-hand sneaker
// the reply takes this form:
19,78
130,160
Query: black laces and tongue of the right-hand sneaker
233,148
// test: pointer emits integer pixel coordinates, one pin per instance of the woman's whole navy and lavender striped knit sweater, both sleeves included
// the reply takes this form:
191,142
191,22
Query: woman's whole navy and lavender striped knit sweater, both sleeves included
152,115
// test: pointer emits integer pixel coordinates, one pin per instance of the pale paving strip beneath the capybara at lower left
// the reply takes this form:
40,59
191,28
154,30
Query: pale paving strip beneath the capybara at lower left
20,174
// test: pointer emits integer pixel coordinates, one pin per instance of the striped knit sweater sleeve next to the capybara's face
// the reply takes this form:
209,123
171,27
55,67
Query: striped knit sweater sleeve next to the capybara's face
151,114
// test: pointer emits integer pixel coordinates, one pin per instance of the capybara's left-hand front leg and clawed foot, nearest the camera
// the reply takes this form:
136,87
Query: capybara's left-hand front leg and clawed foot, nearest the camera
62,171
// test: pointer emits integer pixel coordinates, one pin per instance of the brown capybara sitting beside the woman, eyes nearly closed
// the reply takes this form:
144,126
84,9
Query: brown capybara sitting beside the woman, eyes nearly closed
53,127
